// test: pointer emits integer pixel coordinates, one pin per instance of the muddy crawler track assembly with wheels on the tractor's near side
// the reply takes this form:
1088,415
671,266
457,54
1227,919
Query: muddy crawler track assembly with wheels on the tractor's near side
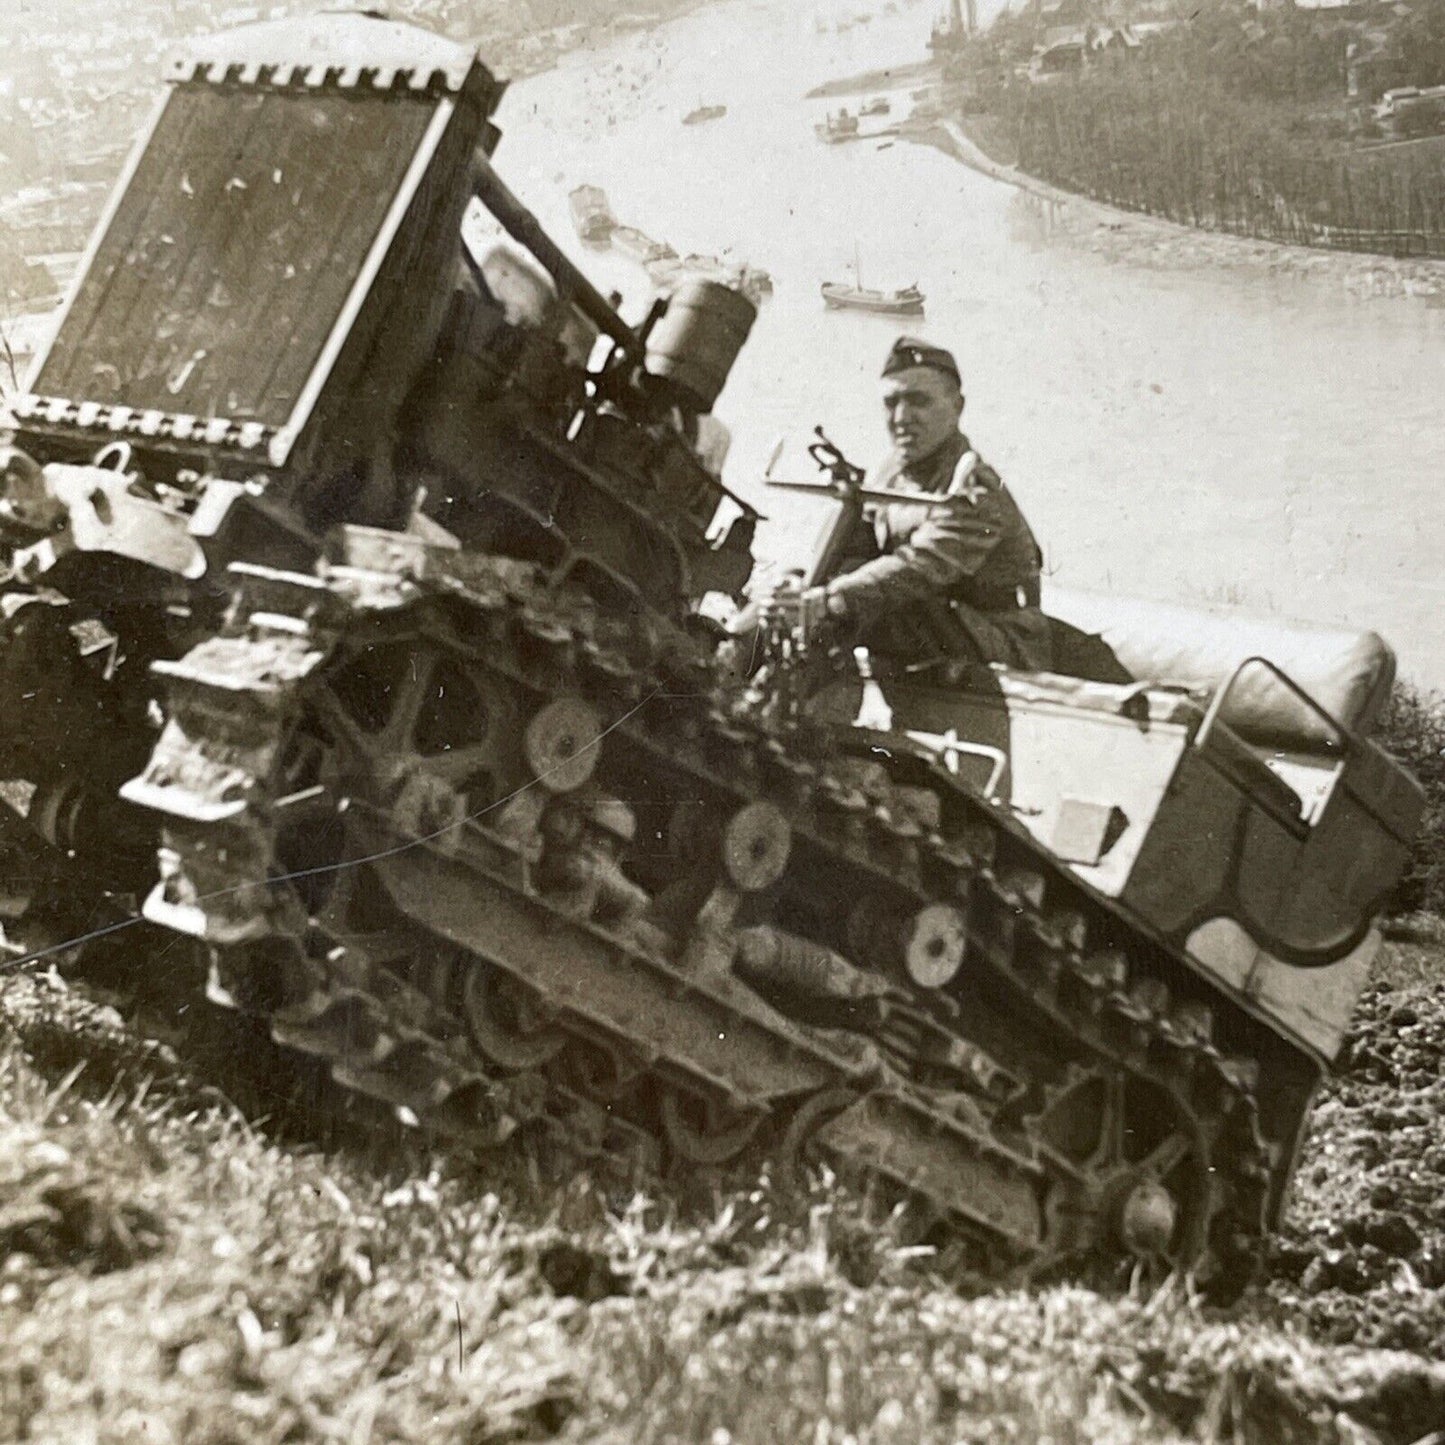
501,862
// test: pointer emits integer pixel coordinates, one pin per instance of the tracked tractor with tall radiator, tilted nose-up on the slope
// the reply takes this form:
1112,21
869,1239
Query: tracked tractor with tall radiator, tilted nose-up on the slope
450,794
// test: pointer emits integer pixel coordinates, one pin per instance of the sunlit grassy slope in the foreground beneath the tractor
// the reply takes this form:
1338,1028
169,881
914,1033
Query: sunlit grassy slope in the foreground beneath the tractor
170,1274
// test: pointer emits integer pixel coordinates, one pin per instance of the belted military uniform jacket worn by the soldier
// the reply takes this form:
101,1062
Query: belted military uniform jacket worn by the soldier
953,580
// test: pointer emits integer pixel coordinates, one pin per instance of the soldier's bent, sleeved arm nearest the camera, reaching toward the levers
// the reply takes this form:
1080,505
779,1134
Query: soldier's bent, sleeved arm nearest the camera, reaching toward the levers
952,545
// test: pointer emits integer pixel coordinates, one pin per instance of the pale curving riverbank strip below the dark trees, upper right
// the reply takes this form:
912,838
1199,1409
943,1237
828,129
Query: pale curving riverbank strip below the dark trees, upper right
1149,241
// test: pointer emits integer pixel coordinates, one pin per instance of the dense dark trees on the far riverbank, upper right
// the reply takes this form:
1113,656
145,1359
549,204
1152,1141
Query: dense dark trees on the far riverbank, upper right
1230,121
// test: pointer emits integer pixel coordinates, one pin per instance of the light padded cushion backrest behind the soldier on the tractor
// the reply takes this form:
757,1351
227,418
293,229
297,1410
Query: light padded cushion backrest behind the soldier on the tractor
1118,639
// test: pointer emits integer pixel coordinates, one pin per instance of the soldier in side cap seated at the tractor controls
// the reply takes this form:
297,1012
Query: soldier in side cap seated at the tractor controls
920,583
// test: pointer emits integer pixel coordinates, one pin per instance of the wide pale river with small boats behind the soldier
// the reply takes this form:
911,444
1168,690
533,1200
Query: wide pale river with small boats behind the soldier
1225,434
